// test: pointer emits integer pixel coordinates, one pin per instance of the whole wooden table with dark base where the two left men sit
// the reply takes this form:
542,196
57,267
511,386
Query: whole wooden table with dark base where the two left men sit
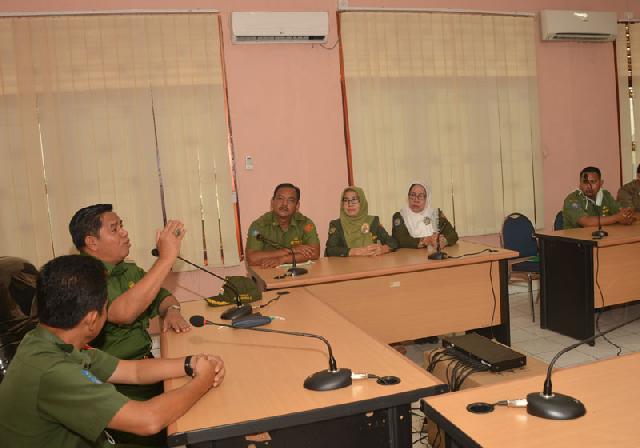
263,388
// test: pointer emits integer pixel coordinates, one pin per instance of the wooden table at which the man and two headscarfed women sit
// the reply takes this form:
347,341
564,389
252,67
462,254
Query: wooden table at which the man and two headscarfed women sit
405,296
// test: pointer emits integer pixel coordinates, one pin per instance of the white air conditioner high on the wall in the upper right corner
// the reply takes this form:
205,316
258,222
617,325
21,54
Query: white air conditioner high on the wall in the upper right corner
578,25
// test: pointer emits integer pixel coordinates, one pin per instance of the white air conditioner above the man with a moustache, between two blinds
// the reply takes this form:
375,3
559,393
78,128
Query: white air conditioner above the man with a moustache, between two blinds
279,27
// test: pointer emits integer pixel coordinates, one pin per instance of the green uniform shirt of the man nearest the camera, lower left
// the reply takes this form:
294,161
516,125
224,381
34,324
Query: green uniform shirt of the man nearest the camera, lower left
56,396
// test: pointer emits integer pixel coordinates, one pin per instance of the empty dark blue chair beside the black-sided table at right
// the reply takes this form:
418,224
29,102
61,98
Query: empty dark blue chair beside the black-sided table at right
518,235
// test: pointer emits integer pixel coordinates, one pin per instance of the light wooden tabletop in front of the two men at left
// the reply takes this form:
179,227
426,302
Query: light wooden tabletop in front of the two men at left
263,386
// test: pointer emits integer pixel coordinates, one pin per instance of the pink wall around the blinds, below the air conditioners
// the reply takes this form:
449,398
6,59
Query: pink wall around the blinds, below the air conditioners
286,110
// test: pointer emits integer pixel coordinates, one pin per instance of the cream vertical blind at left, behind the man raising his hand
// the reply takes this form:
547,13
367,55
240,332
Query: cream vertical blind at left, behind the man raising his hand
109,108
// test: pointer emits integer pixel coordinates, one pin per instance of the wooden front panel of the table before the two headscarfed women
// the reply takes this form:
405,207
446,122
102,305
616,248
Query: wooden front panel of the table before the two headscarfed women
412,305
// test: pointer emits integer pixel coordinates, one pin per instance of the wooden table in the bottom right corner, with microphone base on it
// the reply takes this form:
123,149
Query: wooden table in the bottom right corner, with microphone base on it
607,388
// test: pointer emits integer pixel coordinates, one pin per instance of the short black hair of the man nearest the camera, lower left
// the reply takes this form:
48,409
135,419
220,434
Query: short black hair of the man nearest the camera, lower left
68,288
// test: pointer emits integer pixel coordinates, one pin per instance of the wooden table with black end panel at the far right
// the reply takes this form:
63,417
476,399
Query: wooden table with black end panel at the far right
572,267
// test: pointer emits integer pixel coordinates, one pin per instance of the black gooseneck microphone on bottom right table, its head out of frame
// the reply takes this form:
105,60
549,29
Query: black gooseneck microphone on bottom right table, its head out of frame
555,406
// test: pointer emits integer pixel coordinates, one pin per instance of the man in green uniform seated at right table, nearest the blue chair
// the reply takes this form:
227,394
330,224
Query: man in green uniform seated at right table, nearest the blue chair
583,206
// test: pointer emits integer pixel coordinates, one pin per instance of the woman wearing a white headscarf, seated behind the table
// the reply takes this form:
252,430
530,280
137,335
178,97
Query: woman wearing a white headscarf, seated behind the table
413,226
